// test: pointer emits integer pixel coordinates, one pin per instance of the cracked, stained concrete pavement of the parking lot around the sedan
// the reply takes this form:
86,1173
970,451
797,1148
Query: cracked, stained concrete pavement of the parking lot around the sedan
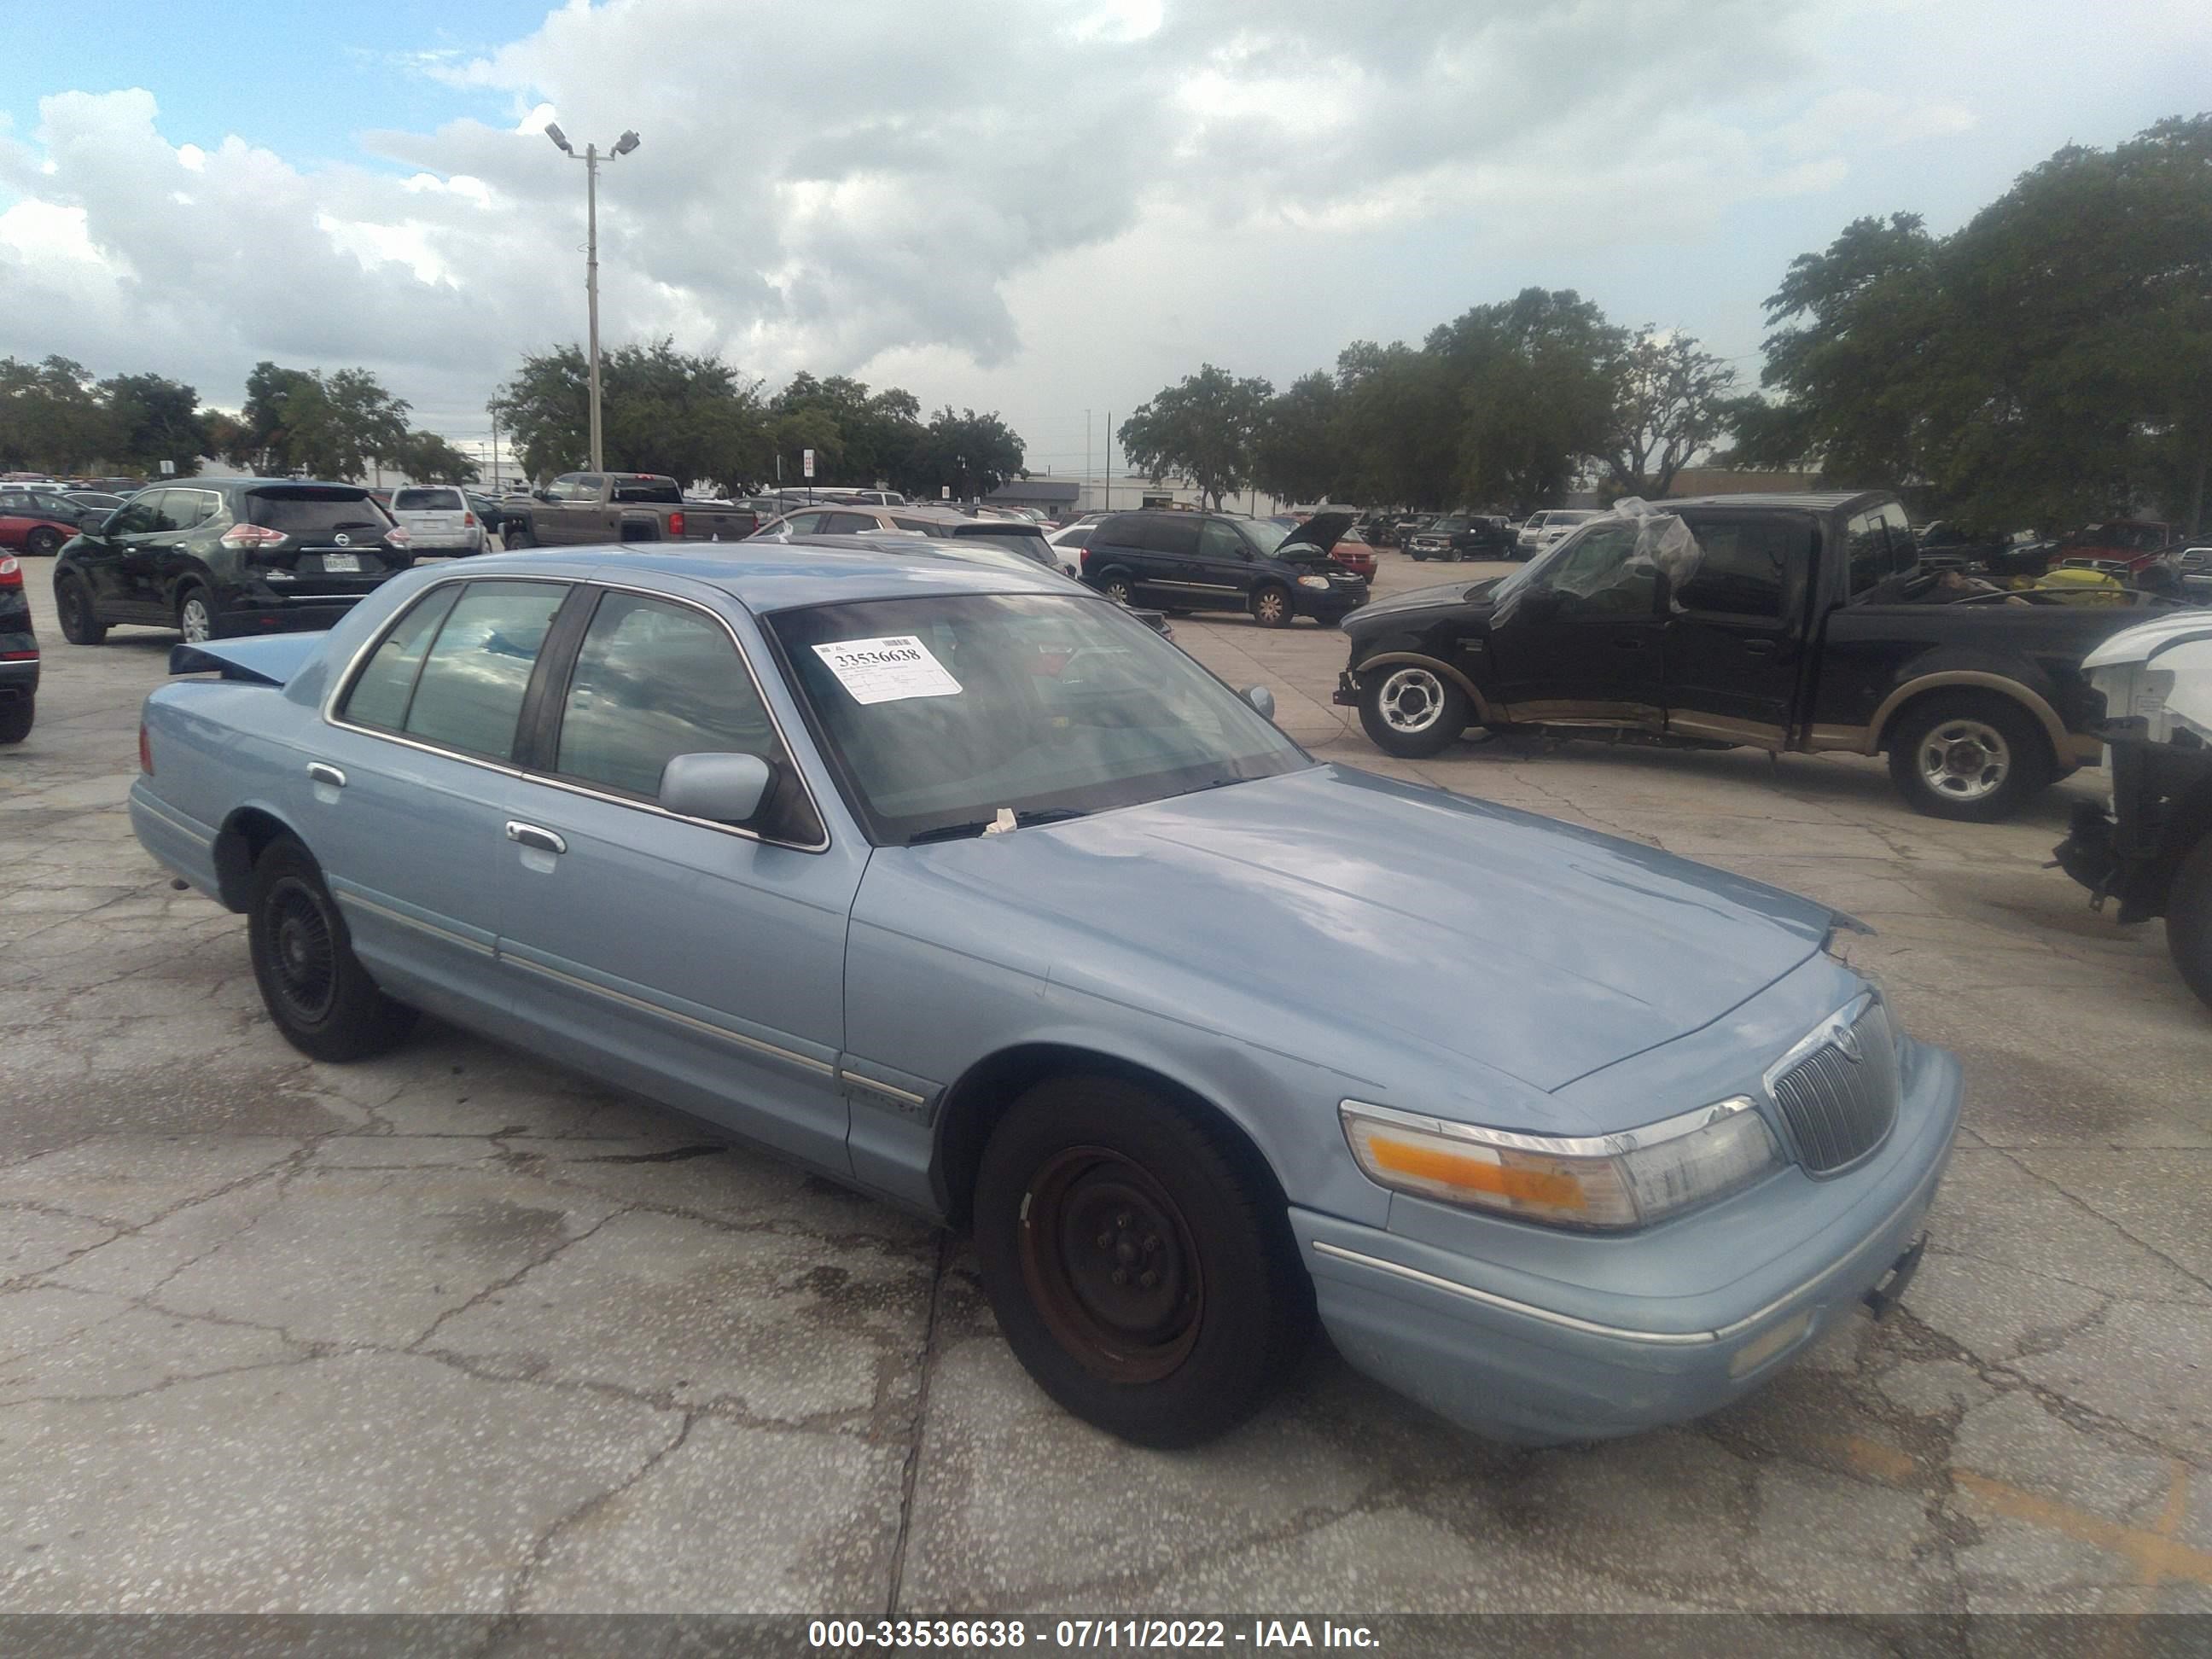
455,1331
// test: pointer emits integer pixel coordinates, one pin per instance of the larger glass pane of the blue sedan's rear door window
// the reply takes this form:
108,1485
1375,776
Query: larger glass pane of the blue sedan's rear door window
472,682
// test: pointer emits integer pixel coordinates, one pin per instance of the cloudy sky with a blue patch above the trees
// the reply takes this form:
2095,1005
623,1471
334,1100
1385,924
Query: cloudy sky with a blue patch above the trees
1023,205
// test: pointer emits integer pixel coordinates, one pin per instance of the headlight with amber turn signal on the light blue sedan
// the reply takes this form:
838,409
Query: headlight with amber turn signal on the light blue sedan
1567,1180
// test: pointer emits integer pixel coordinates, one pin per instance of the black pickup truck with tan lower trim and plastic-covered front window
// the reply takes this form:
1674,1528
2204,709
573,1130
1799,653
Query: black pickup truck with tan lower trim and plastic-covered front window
1782,623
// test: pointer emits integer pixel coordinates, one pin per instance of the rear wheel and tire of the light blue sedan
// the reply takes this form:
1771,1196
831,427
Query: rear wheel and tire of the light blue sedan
322,999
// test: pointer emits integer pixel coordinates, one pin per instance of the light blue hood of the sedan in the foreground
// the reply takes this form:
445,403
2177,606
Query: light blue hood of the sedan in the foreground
1477,935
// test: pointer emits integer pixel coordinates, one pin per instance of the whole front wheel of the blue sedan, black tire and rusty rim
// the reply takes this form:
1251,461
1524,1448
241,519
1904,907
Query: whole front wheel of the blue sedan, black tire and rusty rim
1185,1359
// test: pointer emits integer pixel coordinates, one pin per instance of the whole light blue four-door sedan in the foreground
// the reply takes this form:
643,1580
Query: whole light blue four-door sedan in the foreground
977,895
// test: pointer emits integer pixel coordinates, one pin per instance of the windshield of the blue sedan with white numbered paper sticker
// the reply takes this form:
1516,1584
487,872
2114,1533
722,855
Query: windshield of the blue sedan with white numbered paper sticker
937,713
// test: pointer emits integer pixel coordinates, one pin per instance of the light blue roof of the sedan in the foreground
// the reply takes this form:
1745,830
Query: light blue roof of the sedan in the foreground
791,576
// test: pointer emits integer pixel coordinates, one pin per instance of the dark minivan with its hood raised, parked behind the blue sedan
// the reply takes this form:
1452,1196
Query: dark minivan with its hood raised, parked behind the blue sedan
1213,563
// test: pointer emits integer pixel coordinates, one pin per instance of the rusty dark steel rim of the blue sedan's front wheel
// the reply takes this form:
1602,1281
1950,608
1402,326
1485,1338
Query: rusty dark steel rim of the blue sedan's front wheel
1096,1227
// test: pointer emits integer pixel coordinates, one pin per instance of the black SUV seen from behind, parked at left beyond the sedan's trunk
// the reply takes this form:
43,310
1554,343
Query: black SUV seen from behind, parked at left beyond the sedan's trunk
227,556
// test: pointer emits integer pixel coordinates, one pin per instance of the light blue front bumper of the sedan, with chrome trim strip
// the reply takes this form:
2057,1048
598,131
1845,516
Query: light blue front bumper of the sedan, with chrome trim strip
1538,1361
